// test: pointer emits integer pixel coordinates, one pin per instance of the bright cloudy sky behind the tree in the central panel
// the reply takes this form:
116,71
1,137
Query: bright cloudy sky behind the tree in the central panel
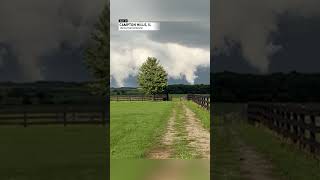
182,45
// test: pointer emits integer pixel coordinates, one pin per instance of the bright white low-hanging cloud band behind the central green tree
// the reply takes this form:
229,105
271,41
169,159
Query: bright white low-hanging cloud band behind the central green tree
179,61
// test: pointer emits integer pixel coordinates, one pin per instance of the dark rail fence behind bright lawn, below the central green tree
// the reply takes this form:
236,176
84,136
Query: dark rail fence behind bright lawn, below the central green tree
139,98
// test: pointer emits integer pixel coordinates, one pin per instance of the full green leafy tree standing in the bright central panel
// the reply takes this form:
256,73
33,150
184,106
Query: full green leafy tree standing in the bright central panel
152,78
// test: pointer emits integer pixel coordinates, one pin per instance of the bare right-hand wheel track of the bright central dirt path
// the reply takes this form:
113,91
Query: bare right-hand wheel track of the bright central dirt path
198,136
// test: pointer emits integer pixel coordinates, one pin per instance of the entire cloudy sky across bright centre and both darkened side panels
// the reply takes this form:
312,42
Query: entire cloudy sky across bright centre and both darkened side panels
44,39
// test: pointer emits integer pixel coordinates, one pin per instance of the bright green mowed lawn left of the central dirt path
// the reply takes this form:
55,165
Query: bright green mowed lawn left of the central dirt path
135,127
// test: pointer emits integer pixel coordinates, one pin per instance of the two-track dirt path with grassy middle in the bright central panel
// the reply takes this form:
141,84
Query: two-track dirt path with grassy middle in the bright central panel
184,137
